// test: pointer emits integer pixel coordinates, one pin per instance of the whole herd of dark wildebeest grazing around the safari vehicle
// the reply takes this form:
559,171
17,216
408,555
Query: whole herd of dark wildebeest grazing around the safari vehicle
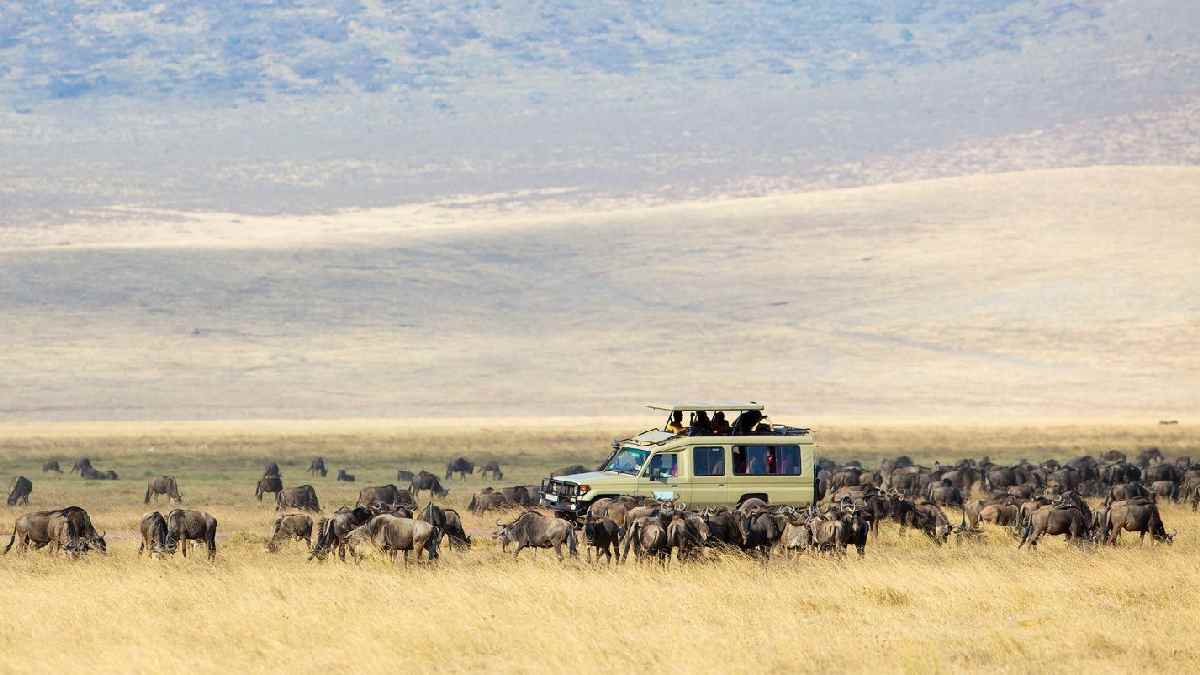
1030,500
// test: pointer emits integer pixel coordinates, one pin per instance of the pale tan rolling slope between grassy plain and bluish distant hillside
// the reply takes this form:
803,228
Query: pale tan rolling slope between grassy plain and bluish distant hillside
1048,294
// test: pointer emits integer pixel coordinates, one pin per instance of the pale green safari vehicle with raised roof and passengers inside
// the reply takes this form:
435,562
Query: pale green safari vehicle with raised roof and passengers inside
703,464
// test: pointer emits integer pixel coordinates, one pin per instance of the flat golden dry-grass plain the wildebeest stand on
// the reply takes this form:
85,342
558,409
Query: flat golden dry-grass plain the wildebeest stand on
908,606
